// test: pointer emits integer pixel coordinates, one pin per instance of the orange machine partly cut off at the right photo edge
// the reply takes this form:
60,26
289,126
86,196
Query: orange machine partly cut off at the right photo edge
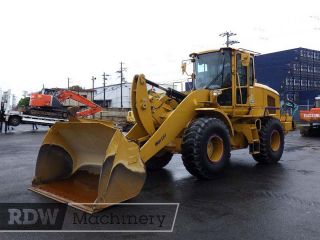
310,120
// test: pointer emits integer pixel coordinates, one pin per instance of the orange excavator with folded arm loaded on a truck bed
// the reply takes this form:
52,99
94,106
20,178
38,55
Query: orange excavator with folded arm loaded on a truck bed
49,103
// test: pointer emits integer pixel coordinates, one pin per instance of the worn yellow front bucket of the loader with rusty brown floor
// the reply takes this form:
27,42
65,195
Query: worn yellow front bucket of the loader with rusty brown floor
88,164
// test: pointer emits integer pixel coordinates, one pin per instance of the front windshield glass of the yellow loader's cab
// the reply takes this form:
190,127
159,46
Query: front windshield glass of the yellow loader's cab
213,70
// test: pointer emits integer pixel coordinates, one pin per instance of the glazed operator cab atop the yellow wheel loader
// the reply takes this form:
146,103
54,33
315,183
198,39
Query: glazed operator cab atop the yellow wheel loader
213,70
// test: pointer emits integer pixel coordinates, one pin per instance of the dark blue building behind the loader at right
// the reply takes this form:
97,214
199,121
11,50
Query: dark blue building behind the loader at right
294,73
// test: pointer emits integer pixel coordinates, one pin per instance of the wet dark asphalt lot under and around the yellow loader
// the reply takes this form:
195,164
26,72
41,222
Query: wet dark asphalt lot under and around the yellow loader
249,201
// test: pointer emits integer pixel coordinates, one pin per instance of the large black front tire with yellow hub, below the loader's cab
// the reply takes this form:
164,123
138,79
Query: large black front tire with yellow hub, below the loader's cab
206,147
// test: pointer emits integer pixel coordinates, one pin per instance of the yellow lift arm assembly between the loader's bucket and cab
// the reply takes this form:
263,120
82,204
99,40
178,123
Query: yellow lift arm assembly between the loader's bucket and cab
157,139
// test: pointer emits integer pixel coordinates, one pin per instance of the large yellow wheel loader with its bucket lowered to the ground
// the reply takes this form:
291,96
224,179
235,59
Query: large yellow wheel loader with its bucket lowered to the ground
91,165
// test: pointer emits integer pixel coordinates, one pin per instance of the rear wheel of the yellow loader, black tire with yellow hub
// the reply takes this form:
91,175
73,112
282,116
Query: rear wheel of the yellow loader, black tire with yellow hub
271,142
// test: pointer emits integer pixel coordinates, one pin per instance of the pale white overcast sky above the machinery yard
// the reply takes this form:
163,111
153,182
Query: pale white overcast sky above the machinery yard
44,42
